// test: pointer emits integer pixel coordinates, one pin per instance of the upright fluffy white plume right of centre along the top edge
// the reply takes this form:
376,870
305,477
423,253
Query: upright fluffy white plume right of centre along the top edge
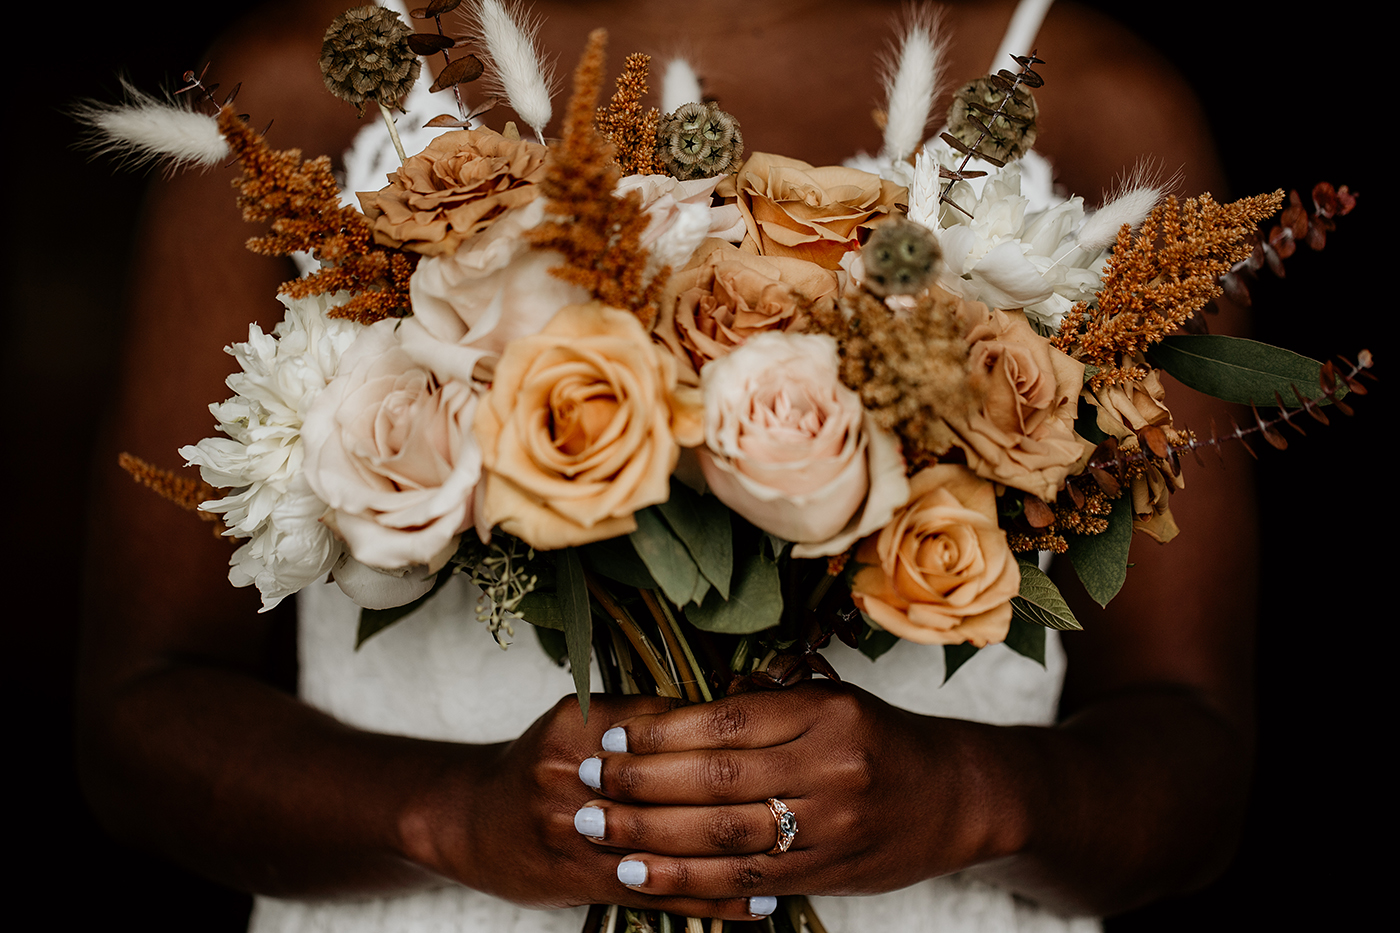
912,78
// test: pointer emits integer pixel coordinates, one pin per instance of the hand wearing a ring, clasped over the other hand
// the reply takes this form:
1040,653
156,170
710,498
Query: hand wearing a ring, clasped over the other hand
883,798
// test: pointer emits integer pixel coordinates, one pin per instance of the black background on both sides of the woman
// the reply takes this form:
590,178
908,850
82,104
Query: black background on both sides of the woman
1293,100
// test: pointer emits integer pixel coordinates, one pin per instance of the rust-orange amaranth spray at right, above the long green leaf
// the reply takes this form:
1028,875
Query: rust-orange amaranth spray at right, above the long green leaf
1160,279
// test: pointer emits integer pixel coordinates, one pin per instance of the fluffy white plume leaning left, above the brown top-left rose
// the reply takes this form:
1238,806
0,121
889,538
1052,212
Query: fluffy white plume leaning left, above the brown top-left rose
514,65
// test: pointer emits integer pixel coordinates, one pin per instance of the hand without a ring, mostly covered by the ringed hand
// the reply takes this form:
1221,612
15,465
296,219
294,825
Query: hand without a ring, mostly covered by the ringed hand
505,823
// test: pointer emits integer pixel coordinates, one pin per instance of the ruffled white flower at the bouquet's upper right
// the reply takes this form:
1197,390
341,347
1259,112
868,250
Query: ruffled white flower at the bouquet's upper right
1018,249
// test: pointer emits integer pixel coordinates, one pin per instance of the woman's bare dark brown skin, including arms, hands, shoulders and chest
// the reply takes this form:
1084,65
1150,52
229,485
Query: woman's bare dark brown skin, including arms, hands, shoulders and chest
185,750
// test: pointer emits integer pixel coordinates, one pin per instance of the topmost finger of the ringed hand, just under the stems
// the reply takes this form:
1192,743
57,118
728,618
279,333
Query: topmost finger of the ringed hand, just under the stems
750,721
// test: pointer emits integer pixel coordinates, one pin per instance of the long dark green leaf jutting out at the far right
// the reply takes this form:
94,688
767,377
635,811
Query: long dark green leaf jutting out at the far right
1238,371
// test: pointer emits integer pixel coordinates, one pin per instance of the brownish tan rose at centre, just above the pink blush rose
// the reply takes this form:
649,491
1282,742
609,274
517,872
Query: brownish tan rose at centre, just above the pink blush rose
726,296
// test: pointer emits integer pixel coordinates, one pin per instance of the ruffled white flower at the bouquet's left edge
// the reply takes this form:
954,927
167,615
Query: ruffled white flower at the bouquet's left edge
271,505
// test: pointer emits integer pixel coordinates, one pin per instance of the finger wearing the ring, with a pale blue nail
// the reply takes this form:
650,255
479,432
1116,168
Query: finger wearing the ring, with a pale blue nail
680,831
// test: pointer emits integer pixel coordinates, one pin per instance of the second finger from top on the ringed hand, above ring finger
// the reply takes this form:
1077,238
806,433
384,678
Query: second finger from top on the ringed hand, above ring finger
696,778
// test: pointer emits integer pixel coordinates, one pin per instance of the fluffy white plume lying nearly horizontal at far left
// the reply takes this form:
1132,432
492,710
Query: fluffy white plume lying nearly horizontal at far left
149,130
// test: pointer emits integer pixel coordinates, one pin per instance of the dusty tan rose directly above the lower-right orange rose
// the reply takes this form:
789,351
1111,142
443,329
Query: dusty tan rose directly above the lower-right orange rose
1023,436
